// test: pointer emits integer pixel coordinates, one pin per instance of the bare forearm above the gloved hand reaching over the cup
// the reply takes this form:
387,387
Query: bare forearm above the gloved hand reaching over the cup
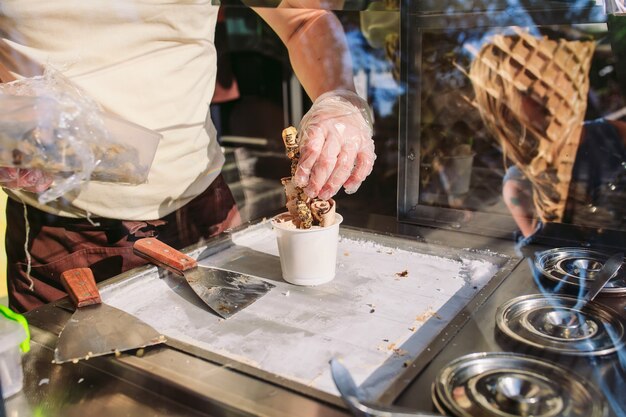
317,48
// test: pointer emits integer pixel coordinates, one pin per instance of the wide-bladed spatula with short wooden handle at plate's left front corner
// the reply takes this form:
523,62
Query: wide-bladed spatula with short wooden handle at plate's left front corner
97,329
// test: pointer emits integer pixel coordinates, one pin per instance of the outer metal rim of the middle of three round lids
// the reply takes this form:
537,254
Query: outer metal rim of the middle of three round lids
599,312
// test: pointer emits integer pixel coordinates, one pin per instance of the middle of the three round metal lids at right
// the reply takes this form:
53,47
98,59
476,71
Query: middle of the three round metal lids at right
557,324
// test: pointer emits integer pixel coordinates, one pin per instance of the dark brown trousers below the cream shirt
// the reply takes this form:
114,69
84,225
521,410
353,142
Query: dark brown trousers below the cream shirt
56,244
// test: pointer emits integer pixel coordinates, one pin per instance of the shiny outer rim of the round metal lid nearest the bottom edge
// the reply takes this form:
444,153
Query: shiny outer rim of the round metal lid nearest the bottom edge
441,390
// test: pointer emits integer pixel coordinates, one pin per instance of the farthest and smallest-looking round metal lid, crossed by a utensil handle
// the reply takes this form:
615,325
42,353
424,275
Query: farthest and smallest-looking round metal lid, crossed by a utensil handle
577,267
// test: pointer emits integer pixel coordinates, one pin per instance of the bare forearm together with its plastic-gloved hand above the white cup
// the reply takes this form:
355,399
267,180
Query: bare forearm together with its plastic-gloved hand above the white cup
335,138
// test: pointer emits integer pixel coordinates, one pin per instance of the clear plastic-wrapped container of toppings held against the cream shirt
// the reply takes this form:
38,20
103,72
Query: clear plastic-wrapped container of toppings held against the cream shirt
50,125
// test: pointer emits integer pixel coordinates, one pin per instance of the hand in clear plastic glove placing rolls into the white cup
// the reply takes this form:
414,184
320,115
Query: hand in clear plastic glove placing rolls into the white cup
336,146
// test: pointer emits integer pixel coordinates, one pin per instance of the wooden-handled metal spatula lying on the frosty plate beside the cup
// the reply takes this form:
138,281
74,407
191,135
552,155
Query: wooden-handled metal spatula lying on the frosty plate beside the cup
225,292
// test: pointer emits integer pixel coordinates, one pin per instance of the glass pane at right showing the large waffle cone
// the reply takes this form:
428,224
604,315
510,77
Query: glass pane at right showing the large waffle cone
524,121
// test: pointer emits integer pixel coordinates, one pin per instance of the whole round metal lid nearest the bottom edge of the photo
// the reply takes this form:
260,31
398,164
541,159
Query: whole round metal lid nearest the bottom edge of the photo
508,385
